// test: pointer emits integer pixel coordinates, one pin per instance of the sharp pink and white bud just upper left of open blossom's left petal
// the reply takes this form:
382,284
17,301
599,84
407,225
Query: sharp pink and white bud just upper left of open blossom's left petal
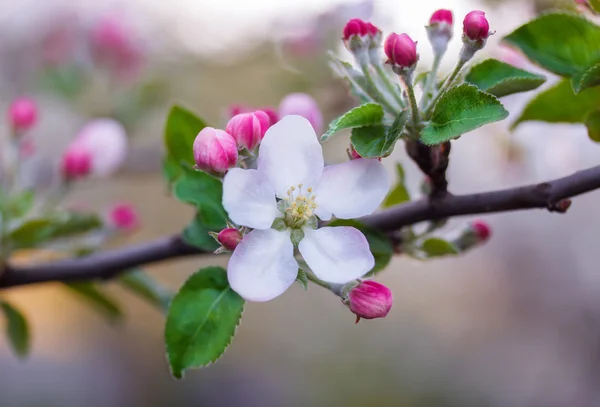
215,150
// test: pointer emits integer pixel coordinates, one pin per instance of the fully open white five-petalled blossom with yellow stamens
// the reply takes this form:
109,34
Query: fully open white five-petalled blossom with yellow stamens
291,168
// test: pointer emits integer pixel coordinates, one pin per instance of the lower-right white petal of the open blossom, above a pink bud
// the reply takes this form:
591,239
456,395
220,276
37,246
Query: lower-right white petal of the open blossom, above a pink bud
336,254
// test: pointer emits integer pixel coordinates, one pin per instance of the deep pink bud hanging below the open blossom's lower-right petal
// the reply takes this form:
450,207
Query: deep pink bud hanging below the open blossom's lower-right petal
370,300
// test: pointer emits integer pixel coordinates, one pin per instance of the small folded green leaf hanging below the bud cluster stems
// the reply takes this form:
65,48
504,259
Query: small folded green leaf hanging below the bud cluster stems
378,141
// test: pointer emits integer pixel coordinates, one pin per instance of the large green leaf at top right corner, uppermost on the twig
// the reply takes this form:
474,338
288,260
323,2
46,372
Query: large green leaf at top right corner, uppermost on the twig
565,44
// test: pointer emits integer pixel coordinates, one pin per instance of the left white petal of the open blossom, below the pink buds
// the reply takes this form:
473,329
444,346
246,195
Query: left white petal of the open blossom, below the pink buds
249,199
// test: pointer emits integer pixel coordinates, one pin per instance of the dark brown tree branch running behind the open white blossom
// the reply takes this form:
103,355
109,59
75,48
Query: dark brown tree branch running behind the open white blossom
550,195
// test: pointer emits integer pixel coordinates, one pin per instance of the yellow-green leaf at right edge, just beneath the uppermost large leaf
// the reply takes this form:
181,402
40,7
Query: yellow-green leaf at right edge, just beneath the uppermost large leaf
559,104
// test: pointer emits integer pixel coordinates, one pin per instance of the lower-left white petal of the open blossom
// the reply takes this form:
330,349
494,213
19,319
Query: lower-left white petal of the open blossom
262,266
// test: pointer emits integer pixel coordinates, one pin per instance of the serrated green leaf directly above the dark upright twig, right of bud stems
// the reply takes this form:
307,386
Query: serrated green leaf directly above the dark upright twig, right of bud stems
461,109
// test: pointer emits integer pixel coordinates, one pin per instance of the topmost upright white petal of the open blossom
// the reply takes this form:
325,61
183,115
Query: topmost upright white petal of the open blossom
290,154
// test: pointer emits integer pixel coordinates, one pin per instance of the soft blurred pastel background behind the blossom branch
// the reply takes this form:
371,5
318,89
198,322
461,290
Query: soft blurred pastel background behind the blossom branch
514,323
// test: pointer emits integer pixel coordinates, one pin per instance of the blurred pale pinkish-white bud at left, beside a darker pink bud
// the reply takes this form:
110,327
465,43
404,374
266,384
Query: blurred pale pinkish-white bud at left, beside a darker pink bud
106,140
